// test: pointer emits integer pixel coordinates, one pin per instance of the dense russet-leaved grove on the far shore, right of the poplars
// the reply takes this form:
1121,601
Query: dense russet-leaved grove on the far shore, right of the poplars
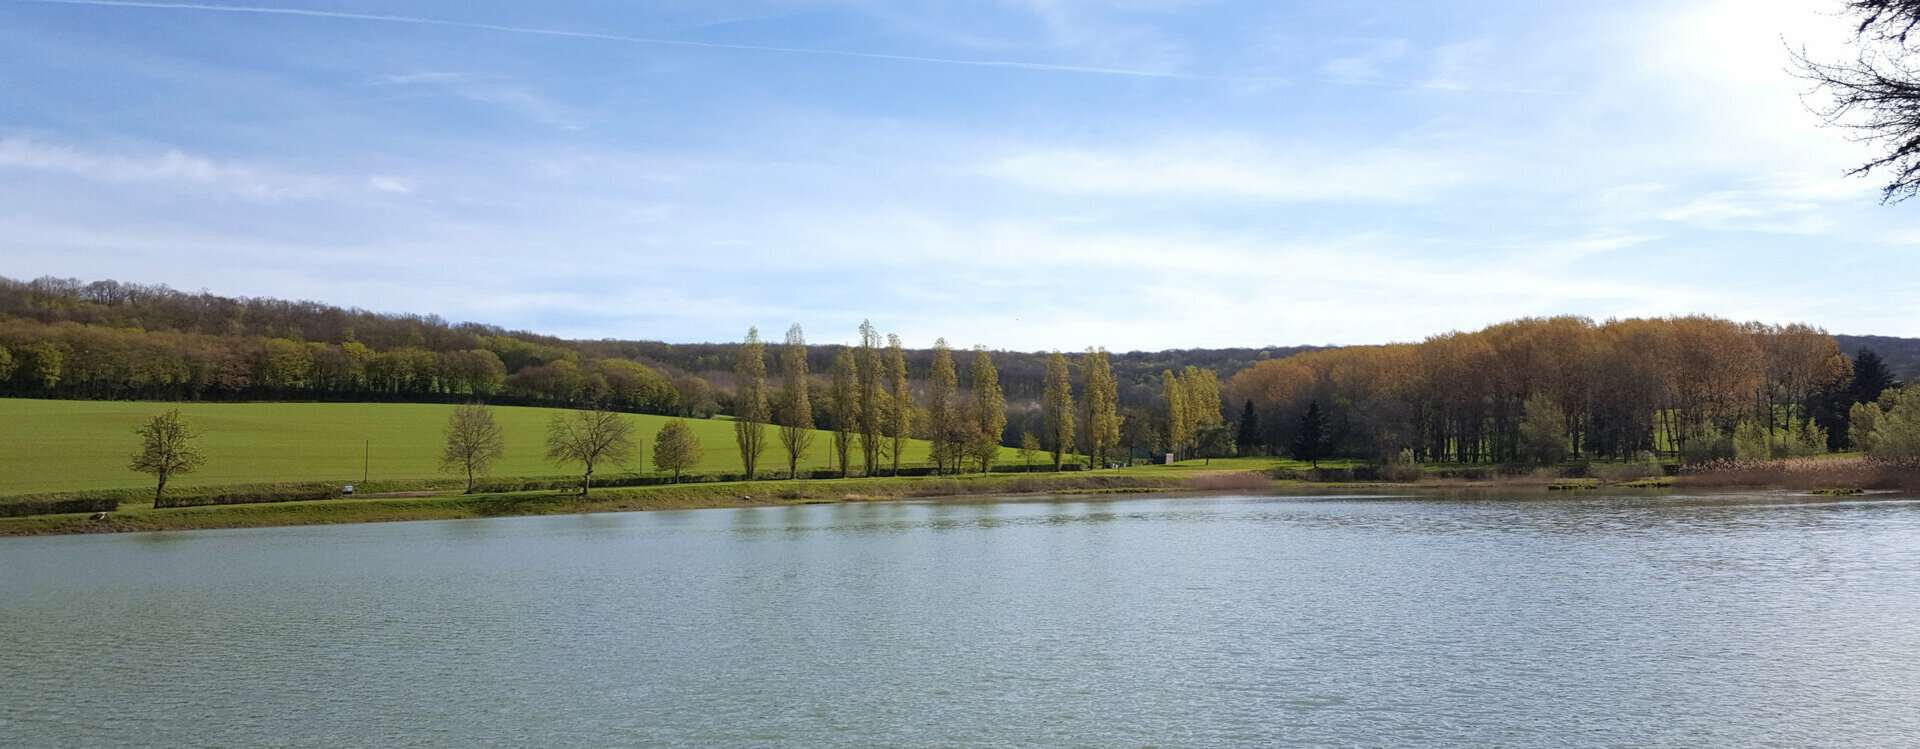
1543,389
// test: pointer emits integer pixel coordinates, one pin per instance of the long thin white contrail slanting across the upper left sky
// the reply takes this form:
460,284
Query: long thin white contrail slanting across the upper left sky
1030,66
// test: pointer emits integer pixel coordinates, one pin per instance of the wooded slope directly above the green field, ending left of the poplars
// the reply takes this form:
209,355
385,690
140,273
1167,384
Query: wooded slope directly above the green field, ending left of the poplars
110,341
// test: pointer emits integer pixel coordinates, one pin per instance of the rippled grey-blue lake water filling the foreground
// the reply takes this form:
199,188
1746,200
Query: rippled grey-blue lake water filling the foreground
1733,621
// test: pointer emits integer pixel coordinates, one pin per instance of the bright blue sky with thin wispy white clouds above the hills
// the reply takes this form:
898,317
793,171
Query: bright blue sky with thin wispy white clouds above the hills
1024,174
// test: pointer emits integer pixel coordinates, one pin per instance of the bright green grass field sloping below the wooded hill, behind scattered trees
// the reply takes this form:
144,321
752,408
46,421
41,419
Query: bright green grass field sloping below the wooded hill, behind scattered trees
74,447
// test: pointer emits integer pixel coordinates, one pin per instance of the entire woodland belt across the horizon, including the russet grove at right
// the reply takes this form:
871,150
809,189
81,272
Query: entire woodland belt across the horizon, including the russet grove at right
1525,391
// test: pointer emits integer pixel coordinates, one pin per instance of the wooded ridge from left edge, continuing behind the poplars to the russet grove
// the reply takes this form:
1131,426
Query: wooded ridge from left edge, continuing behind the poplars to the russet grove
108,339
